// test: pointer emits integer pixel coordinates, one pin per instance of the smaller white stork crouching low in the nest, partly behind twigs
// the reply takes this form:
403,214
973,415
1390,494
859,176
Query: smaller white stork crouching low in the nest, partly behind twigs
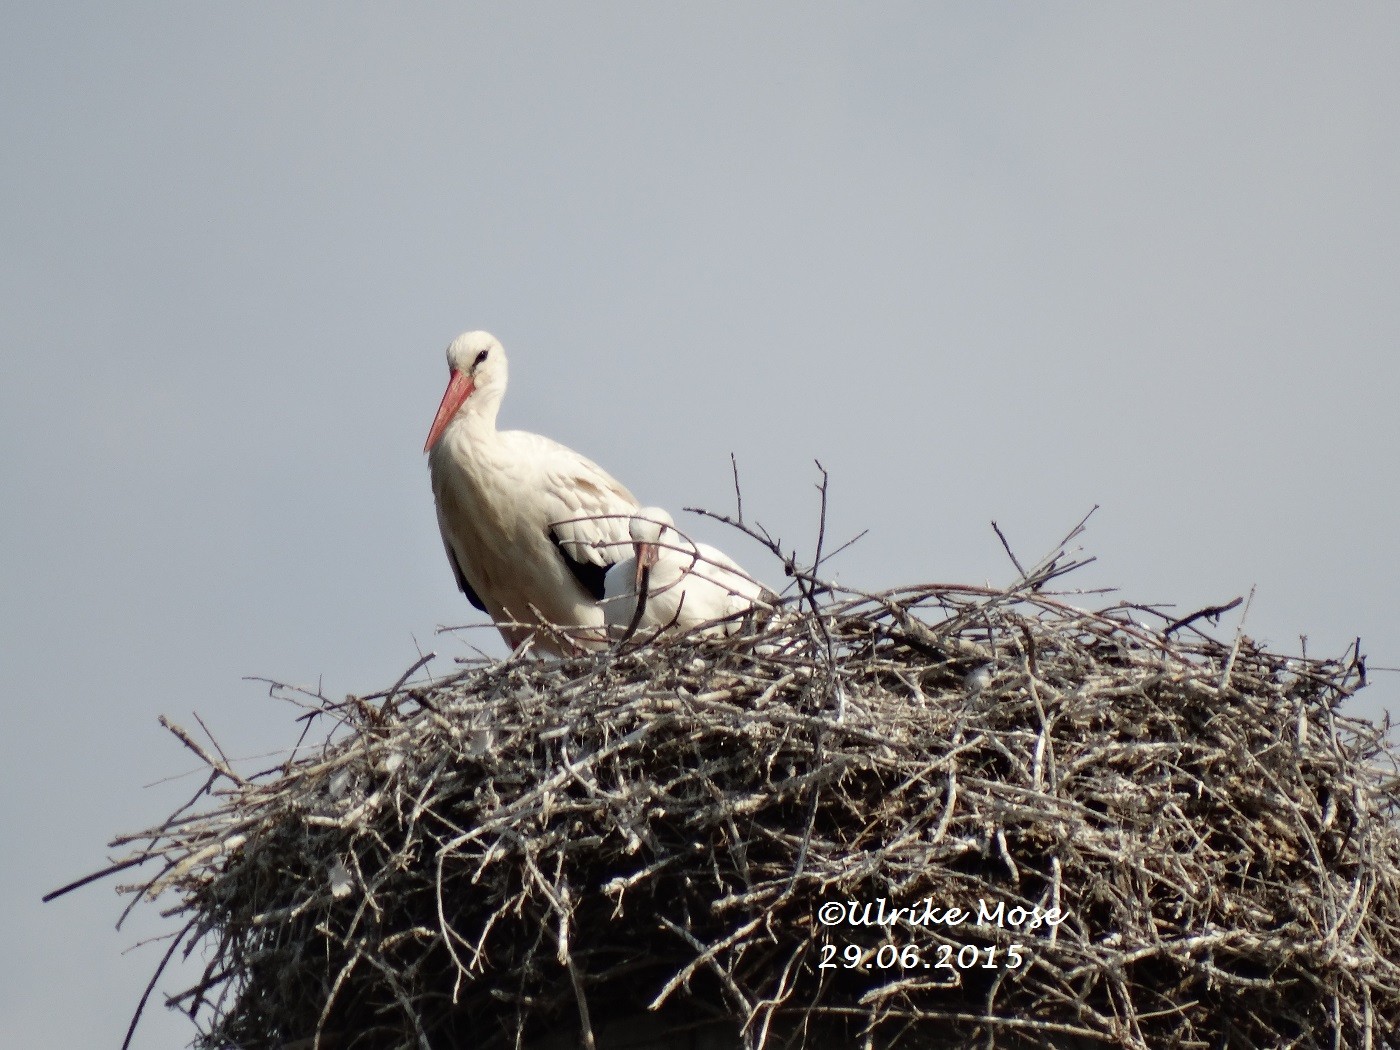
681,583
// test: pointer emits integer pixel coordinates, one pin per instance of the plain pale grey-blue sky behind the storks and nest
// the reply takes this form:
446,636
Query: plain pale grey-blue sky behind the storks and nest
982,261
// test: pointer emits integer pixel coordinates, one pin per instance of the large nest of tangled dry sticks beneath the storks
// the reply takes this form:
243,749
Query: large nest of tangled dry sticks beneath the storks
1151,839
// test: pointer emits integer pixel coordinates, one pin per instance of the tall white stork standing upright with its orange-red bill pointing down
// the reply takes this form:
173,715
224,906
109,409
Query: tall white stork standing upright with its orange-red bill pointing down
530,526
